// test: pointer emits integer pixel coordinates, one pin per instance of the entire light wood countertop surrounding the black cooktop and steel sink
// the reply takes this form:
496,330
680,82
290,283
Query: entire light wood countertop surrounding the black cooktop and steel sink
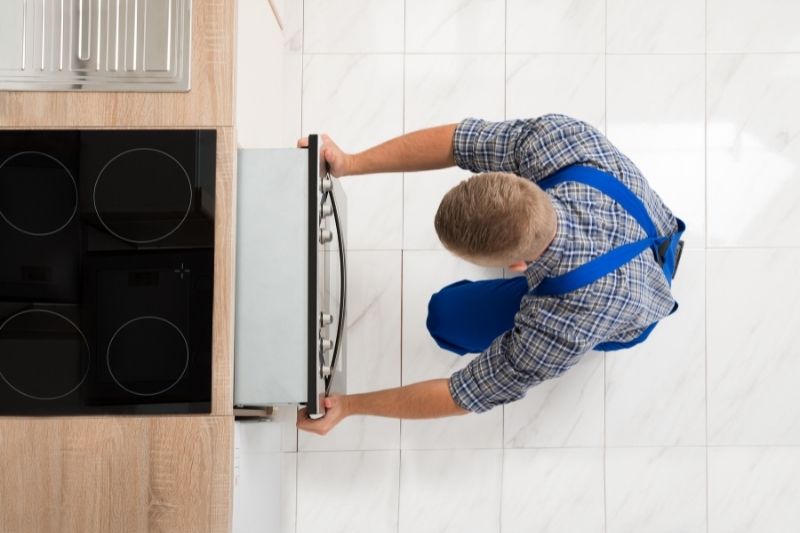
137,474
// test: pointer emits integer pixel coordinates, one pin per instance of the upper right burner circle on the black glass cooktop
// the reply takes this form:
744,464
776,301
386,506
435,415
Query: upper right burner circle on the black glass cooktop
146,183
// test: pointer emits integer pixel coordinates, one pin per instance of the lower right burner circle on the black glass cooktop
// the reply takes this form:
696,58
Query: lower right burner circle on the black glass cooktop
148,349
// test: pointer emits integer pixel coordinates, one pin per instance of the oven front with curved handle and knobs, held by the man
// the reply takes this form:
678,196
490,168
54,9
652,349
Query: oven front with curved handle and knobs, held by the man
328,314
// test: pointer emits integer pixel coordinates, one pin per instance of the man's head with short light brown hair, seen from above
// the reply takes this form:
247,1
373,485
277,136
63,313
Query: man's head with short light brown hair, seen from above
496,219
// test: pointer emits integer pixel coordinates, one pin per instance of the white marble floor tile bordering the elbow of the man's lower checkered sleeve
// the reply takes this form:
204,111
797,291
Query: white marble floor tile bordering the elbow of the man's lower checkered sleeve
566,411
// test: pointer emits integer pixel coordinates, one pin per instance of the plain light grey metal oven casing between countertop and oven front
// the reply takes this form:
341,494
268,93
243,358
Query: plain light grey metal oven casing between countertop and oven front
272,293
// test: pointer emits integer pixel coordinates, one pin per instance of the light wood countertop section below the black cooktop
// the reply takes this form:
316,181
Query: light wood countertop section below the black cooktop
116,474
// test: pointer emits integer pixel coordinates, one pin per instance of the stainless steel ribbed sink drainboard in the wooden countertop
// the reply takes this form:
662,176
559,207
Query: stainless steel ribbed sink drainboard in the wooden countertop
95,45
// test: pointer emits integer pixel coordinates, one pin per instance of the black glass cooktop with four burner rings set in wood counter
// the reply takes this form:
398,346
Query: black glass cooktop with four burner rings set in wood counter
106,271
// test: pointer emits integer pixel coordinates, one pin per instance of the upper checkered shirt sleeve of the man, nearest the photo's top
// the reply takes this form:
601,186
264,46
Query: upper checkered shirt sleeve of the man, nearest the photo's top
532,148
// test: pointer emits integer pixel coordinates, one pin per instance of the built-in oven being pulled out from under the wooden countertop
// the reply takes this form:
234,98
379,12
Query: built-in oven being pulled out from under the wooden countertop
291,280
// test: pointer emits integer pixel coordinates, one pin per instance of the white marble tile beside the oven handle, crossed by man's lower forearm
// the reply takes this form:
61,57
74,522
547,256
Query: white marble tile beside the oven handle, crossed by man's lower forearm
373,351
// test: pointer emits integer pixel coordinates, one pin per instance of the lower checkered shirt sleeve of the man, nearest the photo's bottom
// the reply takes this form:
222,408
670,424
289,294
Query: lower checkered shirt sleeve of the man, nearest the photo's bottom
536,349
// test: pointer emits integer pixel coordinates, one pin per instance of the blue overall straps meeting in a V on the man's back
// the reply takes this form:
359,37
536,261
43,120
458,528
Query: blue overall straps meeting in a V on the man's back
612,260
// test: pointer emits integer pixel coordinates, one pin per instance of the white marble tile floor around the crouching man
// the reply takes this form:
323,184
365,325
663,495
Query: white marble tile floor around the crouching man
698,430
